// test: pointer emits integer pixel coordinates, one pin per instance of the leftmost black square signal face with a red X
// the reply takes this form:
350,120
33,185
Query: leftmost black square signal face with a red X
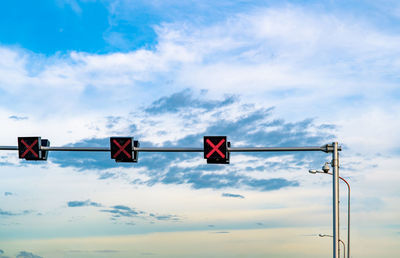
29,148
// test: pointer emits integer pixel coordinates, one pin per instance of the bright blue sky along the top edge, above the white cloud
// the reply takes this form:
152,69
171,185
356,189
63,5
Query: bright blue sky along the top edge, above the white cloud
105,26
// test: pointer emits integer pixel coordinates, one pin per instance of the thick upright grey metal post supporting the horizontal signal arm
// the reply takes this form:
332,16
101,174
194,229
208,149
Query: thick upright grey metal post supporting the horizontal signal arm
335,165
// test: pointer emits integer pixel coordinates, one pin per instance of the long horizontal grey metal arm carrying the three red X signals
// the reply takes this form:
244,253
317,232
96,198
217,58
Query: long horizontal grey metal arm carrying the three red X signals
324,148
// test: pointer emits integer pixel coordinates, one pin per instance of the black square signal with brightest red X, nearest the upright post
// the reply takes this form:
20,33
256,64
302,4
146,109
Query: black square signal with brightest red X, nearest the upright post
215,150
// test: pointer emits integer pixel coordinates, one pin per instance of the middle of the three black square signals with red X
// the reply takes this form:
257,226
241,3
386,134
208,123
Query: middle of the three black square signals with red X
122,149
